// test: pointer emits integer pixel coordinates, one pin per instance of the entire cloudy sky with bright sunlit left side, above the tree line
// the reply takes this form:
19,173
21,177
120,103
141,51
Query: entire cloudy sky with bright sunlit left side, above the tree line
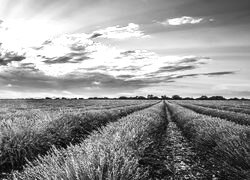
112,48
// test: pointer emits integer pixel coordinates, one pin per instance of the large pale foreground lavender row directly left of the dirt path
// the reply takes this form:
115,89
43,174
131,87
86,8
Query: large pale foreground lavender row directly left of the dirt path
113,152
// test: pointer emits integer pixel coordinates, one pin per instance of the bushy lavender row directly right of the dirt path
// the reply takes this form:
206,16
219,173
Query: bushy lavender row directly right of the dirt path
227,140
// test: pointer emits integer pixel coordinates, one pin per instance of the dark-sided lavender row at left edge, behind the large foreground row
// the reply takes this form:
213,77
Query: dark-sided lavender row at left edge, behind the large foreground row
19,145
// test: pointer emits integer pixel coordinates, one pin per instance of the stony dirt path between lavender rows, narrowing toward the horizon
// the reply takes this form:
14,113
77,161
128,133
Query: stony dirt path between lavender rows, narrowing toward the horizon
172,157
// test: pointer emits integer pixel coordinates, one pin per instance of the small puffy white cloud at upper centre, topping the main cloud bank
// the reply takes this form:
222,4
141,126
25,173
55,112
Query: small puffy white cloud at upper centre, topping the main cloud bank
118,32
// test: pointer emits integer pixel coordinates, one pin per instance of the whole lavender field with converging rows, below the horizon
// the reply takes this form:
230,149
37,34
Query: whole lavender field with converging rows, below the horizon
124,139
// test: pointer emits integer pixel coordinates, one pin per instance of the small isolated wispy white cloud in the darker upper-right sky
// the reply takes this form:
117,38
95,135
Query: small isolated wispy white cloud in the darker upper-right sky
182,21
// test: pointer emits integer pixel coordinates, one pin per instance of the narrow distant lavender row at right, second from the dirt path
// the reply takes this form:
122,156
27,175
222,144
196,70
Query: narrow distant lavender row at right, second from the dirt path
240,118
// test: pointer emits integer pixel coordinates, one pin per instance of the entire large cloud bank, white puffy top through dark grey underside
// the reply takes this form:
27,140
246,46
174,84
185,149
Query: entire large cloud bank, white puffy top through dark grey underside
77,62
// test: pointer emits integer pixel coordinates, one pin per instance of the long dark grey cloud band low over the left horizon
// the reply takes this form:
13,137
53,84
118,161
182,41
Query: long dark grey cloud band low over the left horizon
27,79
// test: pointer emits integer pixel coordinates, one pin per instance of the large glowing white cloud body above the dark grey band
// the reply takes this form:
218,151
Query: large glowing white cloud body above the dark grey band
78,53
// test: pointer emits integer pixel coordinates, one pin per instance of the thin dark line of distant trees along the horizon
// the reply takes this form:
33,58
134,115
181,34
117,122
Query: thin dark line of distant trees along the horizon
151,97
